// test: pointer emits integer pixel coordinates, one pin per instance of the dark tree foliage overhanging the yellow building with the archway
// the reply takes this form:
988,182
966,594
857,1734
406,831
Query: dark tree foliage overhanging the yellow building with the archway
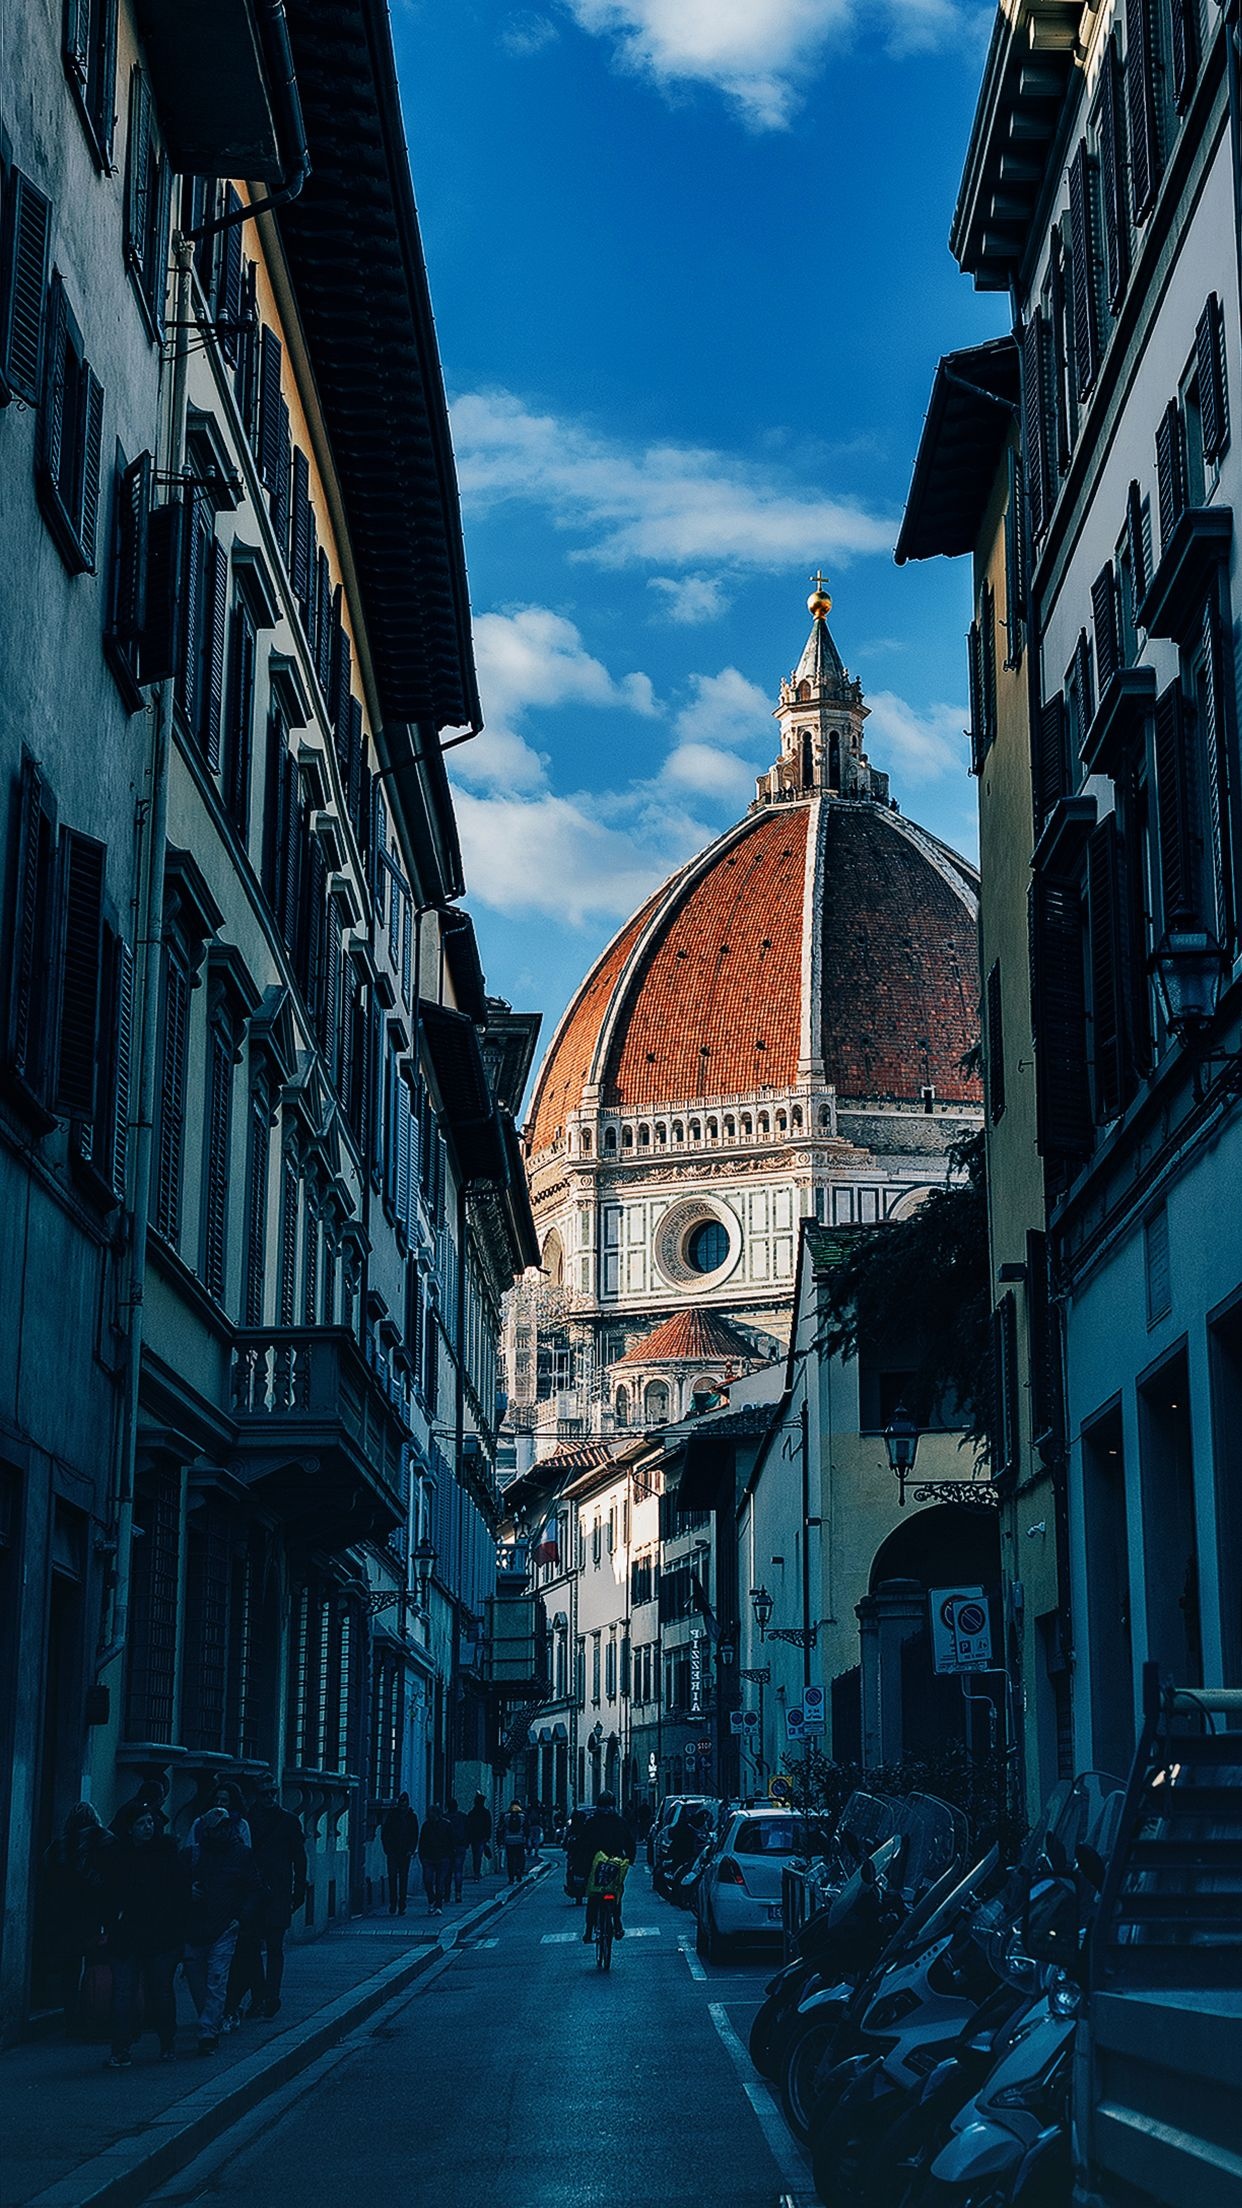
925,1282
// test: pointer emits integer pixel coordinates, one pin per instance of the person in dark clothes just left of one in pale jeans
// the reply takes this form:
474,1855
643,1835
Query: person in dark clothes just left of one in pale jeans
147,1889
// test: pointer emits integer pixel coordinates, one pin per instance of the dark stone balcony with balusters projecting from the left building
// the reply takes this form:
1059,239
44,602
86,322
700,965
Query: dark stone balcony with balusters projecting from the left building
317,1434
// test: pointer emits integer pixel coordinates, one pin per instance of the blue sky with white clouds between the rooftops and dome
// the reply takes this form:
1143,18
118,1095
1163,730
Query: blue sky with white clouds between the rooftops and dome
691,282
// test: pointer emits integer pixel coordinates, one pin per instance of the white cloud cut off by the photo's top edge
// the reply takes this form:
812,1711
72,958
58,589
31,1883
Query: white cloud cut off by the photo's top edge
759,54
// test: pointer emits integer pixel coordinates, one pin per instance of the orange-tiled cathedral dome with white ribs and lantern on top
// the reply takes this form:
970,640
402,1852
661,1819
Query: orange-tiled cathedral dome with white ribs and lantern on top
823,946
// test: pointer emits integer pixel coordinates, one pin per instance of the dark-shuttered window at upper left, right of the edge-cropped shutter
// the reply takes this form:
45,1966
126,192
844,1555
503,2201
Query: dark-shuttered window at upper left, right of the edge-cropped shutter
72,436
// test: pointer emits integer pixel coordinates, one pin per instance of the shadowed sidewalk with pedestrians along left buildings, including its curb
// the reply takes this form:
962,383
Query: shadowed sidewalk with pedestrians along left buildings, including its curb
74,2132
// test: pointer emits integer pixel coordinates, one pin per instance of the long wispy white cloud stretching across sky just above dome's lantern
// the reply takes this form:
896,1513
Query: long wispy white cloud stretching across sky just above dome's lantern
677,507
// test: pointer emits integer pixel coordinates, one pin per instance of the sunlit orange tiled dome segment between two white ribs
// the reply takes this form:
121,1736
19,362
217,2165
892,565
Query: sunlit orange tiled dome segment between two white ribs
717,1010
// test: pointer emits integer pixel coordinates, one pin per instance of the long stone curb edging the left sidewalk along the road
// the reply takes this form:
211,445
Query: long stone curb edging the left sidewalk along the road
134,2167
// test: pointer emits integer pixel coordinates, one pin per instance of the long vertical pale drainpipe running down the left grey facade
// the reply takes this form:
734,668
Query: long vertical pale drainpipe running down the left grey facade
149,955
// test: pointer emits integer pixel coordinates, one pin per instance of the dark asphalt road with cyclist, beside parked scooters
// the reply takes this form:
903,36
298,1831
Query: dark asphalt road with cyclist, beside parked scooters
520,2077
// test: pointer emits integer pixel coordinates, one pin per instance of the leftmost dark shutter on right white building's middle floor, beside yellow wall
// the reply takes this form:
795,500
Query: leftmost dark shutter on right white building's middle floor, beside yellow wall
1060,1001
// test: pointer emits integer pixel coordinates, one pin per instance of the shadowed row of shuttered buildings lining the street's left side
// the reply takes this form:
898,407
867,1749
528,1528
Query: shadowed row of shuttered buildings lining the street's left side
264,1185
